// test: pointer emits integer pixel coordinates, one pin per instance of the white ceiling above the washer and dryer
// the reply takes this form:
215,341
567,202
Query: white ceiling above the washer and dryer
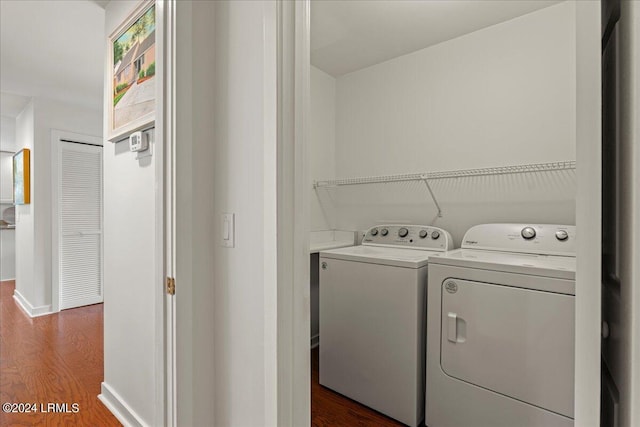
347,35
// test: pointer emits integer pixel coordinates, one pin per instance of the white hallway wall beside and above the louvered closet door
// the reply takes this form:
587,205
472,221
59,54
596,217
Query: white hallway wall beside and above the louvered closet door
33,221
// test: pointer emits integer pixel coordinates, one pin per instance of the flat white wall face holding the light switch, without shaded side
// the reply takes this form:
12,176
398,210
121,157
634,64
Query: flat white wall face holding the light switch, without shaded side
242,349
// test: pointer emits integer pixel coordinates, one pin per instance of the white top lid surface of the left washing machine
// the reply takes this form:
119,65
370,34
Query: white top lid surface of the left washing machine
408,258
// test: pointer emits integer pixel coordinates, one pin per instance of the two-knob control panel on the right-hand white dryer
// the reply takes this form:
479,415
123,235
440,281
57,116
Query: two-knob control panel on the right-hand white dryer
545,239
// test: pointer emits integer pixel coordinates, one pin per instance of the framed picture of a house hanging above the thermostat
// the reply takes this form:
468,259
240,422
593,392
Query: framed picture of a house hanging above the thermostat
132,71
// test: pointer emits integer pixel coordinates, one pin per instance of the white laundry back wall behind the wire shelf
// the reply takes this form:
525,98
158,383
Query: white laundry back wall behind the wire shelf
502,95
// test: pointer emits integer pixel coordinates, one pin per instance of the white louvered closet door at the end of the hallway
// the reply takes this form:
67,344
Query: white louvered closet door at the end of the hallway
80,224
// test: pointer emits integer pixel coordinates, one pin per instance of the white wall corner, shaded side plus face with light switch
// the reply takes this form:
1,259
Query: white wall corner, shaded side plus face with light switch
226,329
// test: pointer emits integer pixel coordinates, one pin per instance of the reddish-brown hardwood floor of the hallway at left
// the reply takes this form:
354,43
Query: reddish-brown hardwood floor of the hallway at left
51,359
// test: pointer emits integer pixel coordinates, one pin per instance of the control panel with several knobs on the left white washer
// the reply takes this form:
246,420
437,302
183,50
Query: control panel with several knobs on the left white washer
409,236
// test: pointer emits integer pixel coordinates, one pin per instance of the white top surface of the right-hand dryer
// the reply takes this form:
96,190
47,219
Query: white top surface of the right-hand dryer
560,267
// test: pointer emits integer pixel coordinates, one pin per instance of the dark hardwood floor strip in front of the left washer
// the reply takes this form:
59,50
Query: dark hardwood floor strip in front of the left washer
329,408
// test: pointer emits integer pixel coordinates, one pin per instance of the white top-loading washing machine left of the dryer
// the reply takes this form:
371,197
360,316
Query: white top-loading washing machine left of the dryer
372,318
